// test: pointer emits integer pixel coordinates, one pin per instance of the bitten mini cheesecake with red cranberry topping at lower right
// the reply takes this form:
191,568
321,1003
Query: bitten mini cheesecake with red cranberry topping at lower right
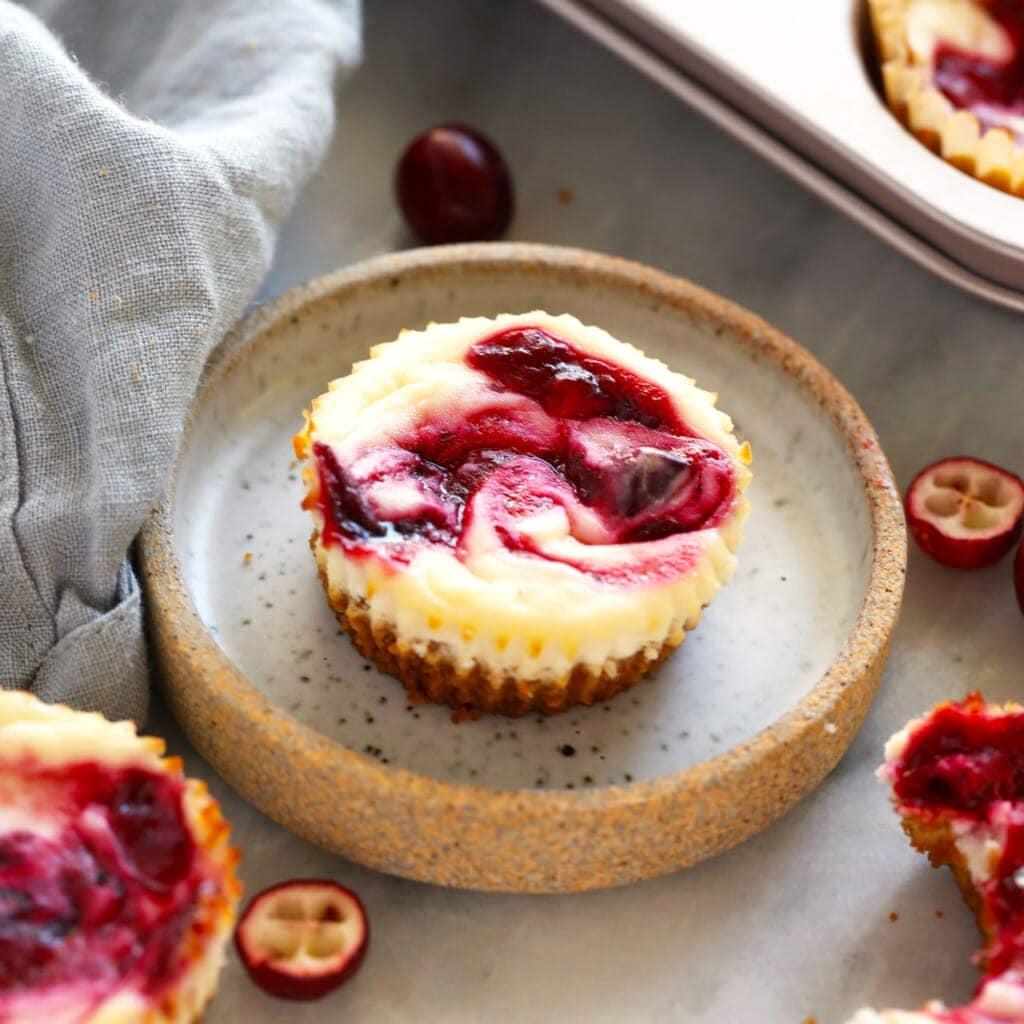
958,782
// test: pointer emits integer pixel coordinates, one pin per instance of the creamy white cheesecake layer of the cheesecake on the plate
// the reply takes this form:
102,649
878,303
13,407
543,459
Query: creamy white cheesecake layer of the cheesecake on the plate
534,617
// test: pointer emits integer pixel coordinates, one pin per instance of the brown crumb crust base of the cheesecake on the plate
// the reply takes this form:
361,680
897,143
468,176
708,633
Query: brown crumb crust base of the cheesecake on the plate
435,677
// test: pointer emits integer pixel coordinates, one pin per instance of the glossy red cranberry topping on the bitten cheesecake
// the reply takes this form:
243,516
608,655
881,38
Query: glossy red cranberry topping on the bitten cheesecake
965,765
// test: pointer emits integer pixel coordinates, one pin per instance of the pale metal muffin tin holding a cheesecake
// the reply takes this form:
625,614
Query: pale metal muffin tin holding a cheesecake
795,83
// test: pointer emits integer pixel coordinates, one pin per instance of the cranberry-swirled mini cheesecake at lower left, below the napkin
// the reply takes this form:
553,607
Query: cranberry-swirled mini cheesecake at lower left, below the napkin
117,885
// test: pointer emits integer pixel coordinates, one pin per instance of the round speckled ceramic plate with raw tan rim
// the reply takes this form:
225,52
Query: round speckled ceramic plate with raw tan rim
749,715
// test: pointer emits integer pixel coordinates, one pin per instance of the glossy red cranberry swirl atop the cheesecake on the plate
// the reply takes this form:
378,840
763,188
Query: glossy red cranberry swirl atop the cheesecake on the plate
559,435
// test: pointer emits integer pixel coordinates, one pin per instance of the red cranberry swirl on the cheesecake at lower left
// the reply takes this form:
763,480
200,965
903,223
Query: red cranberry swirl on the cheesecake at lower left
106,901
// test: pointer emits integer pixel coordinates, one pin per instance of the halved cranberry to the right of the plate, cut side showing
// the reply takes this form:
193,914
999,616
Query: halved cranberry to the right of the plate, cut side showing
965,513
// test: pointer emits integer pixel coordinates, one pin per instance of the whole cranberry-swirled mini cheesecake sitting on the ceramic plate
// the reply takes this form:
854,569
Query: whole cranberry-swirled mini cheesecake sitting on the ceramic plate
520,515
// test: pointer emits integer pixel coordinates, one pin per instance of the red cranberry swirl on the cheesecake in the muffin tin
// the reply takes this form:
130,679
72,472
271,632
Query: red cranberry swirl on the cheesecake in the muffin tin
970,81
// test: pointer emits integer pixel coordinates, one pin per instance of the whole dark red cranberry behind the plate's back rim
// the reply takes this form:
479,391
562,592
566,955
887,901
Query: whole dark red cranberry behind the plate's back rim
454,186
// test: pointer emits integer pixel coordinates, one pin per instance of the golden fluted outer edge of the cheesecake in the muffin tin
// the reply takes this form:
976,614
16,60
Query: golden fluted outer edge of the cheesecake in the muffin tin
993,158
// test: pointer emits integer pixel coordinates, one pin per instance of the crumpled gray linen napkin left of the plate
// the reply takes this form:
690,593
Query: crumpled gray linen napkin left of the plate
144,179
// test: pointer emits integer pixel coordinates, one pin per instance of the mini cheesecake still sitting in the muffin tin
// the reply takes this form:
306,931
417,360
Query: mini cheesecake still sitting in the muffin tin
954,73
